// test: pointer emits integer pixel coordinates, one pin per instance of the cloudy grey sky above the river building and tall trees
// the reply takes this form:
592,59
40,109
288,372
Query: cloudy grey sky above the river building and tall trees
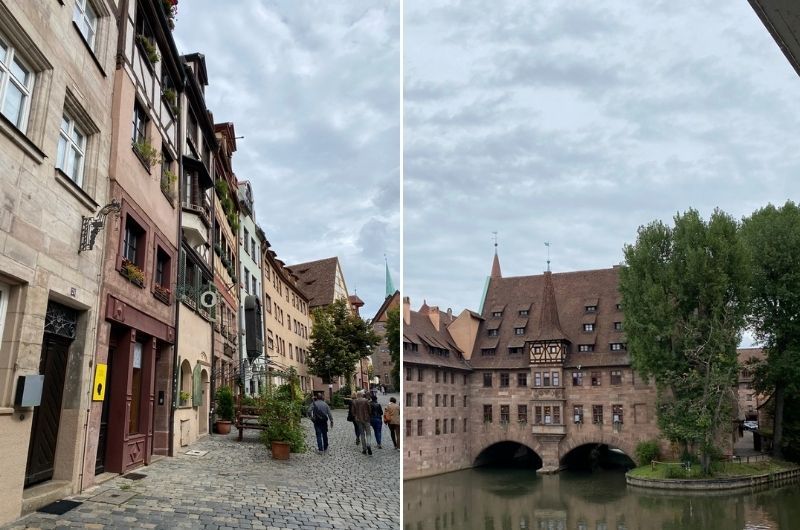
577,122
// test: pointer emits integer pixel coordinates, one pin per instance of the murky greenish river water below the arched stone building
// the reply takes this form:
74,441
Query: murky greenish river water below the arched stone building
503,499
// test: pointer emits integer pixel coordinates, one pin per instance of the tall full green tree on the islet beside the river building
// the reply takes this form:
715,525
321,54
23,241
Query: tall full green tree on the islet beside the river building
684,296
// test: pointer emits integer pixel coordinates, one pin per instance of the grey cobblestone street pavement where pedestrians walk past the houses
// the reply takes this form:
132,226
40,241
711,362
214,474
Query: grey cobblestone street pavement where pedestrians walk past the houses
238,485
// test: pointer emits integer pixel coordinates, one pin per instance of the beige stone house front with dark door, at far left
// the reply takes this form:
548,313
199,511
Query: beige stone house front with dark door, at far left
56,82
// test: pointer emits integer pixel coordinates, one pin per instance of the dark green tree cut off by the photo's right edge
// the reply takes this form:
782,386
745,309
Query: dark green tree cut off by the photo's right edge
772,238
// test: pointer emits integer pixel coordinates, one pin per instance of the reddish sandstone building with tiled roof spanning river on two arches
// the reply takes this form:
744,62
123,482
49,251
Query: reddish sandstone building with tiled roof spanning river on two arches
547,369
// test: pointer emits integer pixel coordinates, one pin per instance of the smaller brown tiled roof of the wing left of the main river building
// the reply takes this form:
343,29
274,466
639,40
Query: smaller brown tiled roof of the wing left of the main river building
420,331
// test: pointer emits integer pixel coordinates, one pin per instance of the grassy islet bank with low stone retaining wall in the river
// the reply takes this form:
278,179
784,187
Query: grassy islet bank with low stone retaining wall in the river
727,475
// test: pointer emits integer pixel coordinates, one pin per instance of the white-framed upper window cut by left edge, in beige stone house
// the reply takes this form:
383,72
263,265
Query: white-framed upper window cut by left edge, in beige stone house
16,84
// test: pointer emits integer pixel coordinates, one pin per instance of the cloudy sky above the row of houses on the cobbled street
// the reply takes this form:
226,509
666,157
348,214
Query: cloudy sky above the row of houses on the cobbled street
313,87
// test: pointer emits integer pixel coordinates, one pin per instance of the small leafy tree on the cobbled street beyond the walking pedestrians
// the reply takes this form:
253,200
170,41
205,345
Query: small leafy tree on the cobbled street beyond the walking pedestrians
339,340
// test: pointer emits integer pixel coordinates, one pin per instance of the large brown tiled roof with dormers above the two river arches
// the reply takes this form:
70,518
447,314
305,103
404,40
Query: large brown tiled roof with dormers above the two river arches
564,304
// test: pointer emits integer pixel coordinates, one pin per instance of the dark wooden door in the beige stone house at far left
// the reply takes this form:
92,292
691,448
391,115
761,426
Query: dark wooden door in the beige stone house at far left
46,417
